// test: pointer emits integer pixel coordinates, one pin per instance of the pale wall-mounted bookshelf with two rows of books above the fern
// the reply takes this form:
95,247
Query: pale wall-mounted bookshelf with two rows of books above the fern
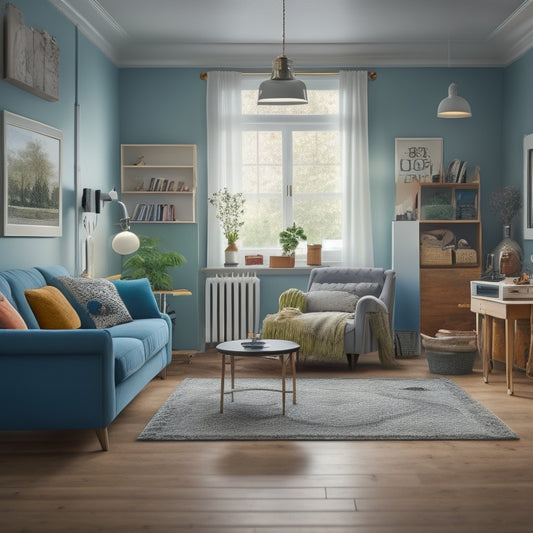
163,189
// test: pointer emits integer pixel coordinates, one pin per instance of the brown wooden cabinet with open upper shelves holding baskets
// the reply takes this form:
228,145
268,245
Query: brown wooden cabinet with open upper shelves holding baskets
448,211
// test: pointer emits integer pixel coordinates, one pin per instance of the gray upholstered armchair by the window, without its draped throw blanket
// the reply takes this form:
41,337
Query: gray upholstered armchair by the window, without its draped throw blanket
375,288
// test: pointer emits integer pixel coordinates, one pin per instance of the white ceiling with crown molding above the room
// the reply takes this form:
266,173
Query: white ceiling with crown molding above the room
319,33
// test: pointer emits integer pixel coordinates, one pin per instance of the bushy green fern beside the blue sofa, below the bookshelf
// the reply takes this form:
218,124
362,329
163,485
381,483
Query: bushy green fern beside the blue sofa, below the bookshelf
150,262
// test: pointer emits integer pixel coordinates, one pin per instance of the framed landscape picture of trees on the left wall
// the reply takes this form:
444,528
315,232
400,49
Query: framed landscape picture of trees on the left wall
31,178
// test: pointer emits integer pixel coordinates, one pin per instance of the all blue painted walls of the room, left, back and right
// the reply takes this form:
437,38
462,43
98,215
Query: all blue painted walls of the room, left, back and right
168,106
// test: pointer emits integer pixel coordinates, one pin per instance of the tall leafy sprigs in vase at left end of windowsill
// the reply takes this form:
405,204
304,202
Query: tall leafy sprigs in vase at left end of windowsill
230,213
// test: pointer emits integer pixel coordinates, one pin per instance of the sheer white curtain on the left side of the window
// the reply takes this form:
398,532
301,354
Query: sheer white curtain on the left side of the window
223,150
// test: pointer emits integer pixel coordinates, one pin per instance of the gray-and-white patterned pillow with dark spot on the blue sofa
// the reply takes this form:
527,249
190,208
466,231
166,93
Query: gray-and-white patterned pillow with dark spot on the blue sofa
99,298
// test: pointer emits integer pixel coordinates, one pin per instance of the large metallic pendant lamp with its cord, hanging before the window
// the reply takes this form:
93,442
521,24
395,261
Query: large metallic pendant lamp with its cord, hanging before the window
282,88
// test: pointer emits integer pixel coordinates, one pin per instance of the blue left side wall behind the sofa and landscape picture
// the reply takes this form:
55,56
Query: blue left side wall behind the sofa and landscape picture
99,141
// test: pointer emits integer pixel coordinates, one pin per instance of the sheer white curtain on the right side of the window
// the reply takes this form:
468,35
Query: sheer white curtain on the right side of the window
357,222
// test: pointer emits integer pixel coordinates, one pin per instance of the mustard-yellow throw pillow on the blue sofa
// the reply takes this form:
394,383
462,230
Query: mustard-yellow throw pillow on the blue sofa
51,309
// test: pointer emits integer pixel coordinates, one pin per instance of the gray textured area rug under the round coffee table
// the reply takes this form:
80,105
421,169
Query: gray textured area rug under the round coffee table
326,409
